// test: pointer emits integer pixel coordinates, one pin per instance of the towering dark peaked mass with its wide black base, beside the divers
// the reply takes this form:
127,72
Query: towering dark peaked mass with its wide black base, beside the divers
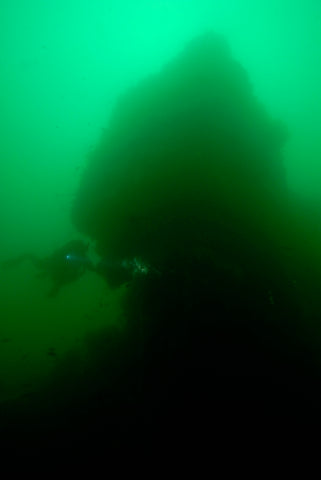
218,323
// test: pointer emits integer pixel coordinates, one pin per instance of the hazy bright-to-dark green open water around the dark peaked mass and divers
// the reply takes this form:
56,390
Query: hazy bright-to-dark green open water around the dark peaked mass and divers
63,67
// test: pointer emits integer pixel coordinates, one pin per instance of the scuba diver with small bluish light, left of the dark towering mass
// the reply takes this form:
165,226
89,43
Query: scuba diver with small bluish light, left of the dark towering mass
63,266
